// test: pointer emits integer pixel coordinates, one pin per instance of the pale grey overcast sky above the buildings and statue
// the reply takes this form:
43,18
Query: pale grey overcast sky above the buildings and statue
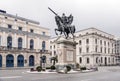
102,14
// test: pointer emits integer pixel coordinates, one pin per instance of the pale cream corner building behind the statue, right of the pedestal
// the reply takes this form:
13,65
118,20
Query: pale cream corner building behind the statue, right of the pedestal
94,47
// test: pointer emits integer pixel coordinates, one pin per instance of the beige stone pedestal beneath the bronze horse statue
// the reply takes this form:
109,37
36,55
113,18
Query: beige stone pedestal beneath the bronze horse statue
66,54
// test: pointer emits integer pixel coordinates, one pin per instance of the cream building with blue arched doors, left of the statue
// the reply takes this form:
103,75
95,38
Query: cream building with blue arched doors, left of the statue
22,42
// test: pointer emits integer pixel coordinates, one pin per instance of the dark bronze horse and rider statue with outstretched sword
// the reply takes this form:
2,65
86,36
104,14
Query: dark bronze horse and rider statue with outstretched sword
64,24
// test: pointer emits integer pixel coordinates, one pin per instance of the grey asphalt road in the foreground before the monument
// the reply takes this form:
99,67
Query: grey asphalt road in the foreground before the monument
104,74
